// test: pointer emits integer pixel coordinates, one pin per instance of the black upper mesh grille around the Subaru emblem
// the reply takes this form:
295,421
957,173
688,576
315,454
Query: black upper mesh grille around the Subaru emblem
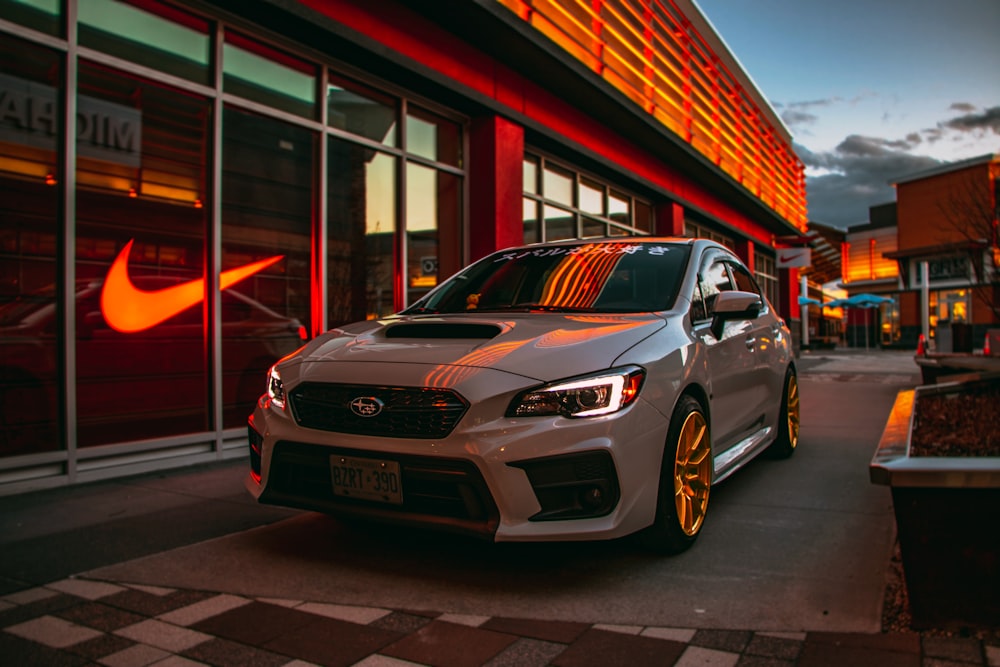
407,412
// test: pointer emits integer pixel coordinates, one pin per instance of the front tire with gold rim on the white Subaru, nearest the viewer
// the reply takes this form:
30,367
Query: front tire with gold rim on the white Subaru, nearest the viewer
685,482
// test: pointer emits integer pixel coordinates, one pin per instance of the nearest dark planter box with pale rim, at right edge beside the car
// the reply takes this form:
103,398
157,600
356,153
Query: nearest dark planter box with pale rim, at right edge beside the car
947,516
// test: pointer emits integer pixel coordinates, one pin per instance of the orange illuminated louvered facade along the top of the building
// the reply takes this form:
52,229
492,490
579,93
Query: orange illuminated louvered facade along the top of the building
652,53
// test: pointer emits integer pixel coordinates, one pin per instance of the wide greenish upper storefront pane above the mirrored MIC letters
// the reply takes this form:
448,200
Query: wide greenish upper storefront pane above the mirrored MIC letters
153,34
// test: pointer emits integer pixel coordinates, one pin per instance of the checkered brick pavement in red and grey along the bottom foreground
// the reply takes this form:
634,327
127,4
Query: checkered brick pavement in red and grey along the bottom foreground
86,622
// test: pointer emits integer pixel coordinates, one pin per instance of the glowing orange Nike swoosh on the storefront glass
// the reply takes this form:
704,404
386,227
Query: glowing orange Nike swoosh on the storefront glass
128,309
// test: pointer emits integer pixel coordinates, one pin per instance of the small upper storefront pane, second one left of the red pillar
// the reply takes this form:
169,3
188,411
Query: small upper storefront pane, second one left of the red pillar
358,110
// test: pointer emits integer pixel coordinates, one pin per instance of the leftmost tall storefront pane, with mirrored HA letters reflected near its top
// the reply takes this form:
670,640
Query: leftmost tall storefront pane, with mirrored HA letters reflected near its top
30,314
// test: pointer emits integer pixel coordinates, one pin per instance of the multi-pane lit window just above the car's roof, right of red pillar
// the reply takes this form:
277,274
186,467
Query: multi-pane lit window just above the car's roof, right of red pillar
576,205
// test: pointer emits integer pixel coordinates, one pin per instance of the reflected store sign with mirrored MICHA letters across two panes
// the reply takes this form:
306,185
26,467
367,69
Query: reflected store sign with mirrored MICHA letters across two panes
104,130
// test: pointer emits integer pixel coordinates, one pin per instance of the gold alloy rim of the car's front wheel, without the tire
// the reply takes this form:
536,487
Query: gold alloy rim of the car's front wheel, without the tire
692,473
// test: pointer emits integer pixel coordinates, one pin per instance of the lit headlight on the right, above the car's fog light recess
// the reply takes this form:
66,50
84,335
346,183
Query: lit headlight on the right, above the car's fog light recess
584,396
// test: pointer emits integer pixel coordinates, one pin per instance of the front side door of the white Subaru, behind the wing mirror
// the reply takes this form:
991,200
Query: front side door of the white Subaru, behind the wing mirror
730,357
